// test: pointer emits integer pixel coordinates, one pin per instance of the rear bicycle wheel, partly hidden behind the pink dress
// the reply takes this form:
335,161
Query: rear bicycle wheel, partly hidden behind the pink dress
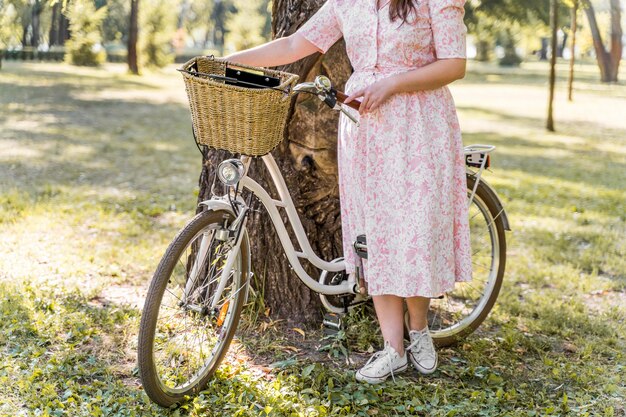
461,311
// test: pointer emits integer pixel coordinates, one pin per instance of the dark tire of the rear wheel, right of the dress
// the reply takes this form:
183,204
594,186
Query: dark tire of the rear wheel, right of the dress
476,317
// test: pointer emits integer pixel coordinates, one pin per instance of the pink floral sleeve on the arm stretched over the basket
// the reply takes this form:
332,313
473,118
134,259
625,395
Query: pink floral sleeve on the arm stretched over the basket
322,29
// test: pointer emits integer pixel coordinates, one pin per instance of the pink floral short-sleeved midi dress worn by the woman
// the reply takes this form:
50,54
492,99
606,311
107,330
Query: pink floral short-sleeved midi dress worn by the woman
401,171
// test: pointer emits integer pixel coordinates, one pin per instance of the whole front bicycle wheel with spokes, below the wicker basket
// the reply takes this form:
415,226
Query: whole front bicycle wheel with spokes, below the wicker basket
192,308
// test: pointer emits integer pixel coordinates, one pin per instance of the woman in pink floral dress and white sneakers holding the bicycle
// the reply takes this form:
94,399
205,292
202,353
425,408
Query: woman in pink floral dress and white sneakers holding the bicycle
401,171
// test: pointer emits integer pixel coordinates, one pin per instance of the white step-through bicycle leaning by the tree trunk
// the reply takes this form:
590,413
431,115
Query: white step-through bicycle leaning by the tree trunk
200,286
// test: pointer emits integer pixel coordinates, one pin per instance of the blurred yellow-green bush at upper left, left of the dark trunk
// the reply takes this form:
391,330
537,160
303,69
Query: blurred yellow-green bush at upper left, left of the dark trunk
85,46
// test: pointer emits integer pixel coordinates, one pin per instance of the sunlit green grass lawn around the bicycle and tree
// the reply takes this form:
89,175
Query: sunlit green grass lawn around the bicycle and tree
98,171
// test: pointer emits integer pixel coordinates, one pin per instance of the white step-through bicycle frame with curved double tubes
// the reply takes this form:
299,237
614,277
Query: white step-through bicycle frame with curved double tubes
306,252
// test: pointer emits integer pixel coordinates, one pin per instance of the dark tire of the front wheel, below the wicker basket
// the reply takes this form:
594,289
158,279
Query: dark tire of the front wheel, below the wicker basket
158,390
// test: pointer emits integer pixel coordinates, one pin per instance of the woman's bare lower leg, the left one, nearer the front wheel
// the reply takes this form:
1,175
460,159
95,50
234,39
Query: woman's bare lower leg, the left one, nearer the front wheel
390,312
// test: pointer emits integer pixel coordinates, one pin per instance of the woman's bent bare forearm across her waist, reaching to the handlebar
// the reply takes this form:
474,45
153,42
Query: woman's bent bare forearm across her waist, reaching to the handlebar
430,77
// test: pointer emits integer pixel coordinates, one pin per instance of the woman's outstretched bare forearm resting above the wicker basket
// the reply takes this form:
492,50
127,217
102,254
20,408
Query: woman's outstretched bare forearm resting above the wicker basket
280,51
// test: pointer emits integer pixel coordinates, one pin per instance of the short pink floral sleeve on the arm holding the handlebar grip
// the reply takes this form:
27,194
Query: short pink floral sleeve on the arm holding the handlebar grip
449,30
